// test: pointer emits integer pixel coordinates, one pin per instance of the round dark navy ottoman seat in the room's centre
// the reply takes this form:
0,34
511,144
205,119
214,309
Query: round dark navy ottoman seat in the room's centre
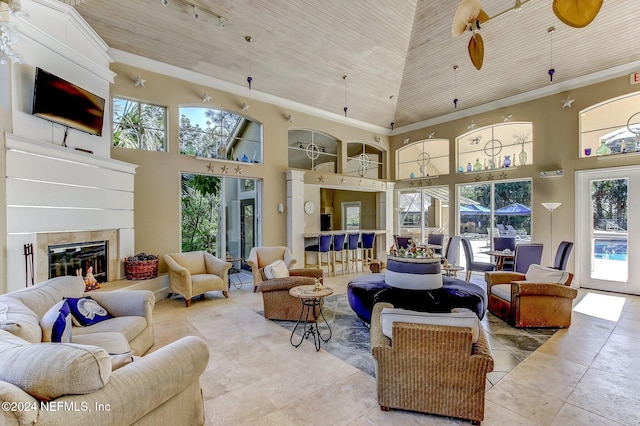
365,291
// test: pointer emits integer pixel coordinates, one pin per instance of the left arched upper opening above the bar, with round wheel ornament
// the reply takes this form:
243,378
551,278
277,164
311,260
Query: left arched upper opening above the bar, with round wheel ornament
312,150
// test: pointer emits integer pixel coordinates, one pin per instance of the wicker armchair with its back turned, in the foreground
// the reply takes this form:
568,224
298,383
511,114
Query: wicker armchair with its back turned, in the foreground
431,368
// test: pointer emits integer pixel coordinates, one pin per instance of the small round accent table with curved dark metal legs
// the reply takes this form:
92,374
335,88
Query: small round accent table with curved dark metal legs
310,298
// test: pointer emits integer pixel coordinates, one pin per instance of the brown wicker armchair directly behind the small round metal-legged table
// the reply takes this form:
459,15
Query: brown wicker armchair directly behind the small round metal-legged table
278,303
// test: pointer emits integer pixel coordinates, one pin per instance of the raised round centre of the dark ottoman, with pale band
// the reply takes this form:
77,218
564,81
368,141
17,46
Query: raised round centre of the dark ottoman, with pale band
413,275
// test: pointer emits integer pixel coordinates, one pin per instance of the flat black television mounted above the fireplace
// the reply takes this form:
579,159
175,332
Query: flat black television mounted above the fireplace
57,100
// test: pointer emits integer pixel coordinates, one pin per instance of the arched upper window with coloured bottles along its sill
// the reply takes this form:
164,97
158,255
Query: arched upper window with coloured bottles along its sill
492,147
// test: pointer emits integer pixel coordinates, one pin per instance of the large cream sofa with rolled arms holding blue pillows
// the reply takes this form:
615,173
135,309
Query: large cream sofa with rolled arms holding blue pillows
67,384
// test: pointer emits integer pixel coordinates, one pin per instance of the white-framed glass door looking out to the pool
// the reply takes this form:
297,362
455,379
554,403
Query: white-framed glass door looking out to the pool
607,241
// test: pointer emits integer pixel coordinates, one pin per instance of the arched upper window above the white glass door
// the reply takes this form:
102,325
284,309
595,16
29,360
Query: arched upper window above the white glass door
611,127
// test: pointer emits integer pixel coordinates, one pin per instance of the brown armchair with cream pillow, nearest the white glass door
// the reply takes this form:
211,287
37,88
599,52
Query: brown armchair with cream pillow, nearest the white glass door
540,298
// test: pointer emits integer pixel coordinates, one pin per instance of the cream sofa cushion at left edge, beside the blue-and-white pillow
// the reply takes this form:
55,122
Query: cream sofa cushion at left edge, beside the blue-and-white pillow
18,319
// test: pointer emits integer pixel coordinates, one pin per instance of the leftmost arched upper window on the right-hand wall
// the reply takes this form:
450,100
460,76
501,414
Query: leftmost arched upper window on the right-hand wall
425,158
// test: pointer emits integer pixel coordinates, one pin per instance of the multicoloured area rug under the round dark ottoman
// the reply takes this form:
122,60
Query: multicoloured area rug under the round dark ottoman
350,337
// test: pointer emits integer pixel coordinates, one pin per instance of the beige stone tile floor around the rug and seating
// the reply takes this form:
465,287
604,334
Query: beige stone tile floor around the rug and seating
586,374
